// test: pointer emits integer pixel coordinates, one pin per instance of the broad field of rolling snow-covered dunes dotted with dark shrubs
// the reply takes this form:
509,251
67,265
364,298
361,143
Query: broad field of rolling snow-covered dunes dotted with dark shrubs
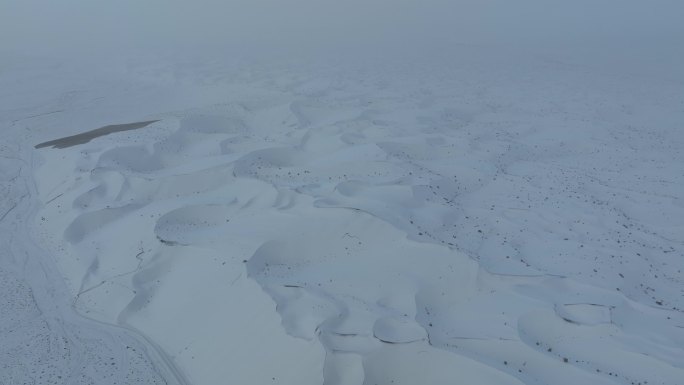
456,226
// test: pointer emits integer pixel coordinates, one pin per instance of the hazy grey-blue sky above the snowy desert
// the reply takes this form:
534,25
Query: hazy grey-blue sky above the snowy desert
85,25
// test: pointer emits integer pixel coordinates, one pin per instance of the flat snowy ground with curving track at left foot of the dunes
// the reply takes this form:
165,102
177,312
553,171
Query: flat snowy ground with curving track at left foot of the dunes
42,341
